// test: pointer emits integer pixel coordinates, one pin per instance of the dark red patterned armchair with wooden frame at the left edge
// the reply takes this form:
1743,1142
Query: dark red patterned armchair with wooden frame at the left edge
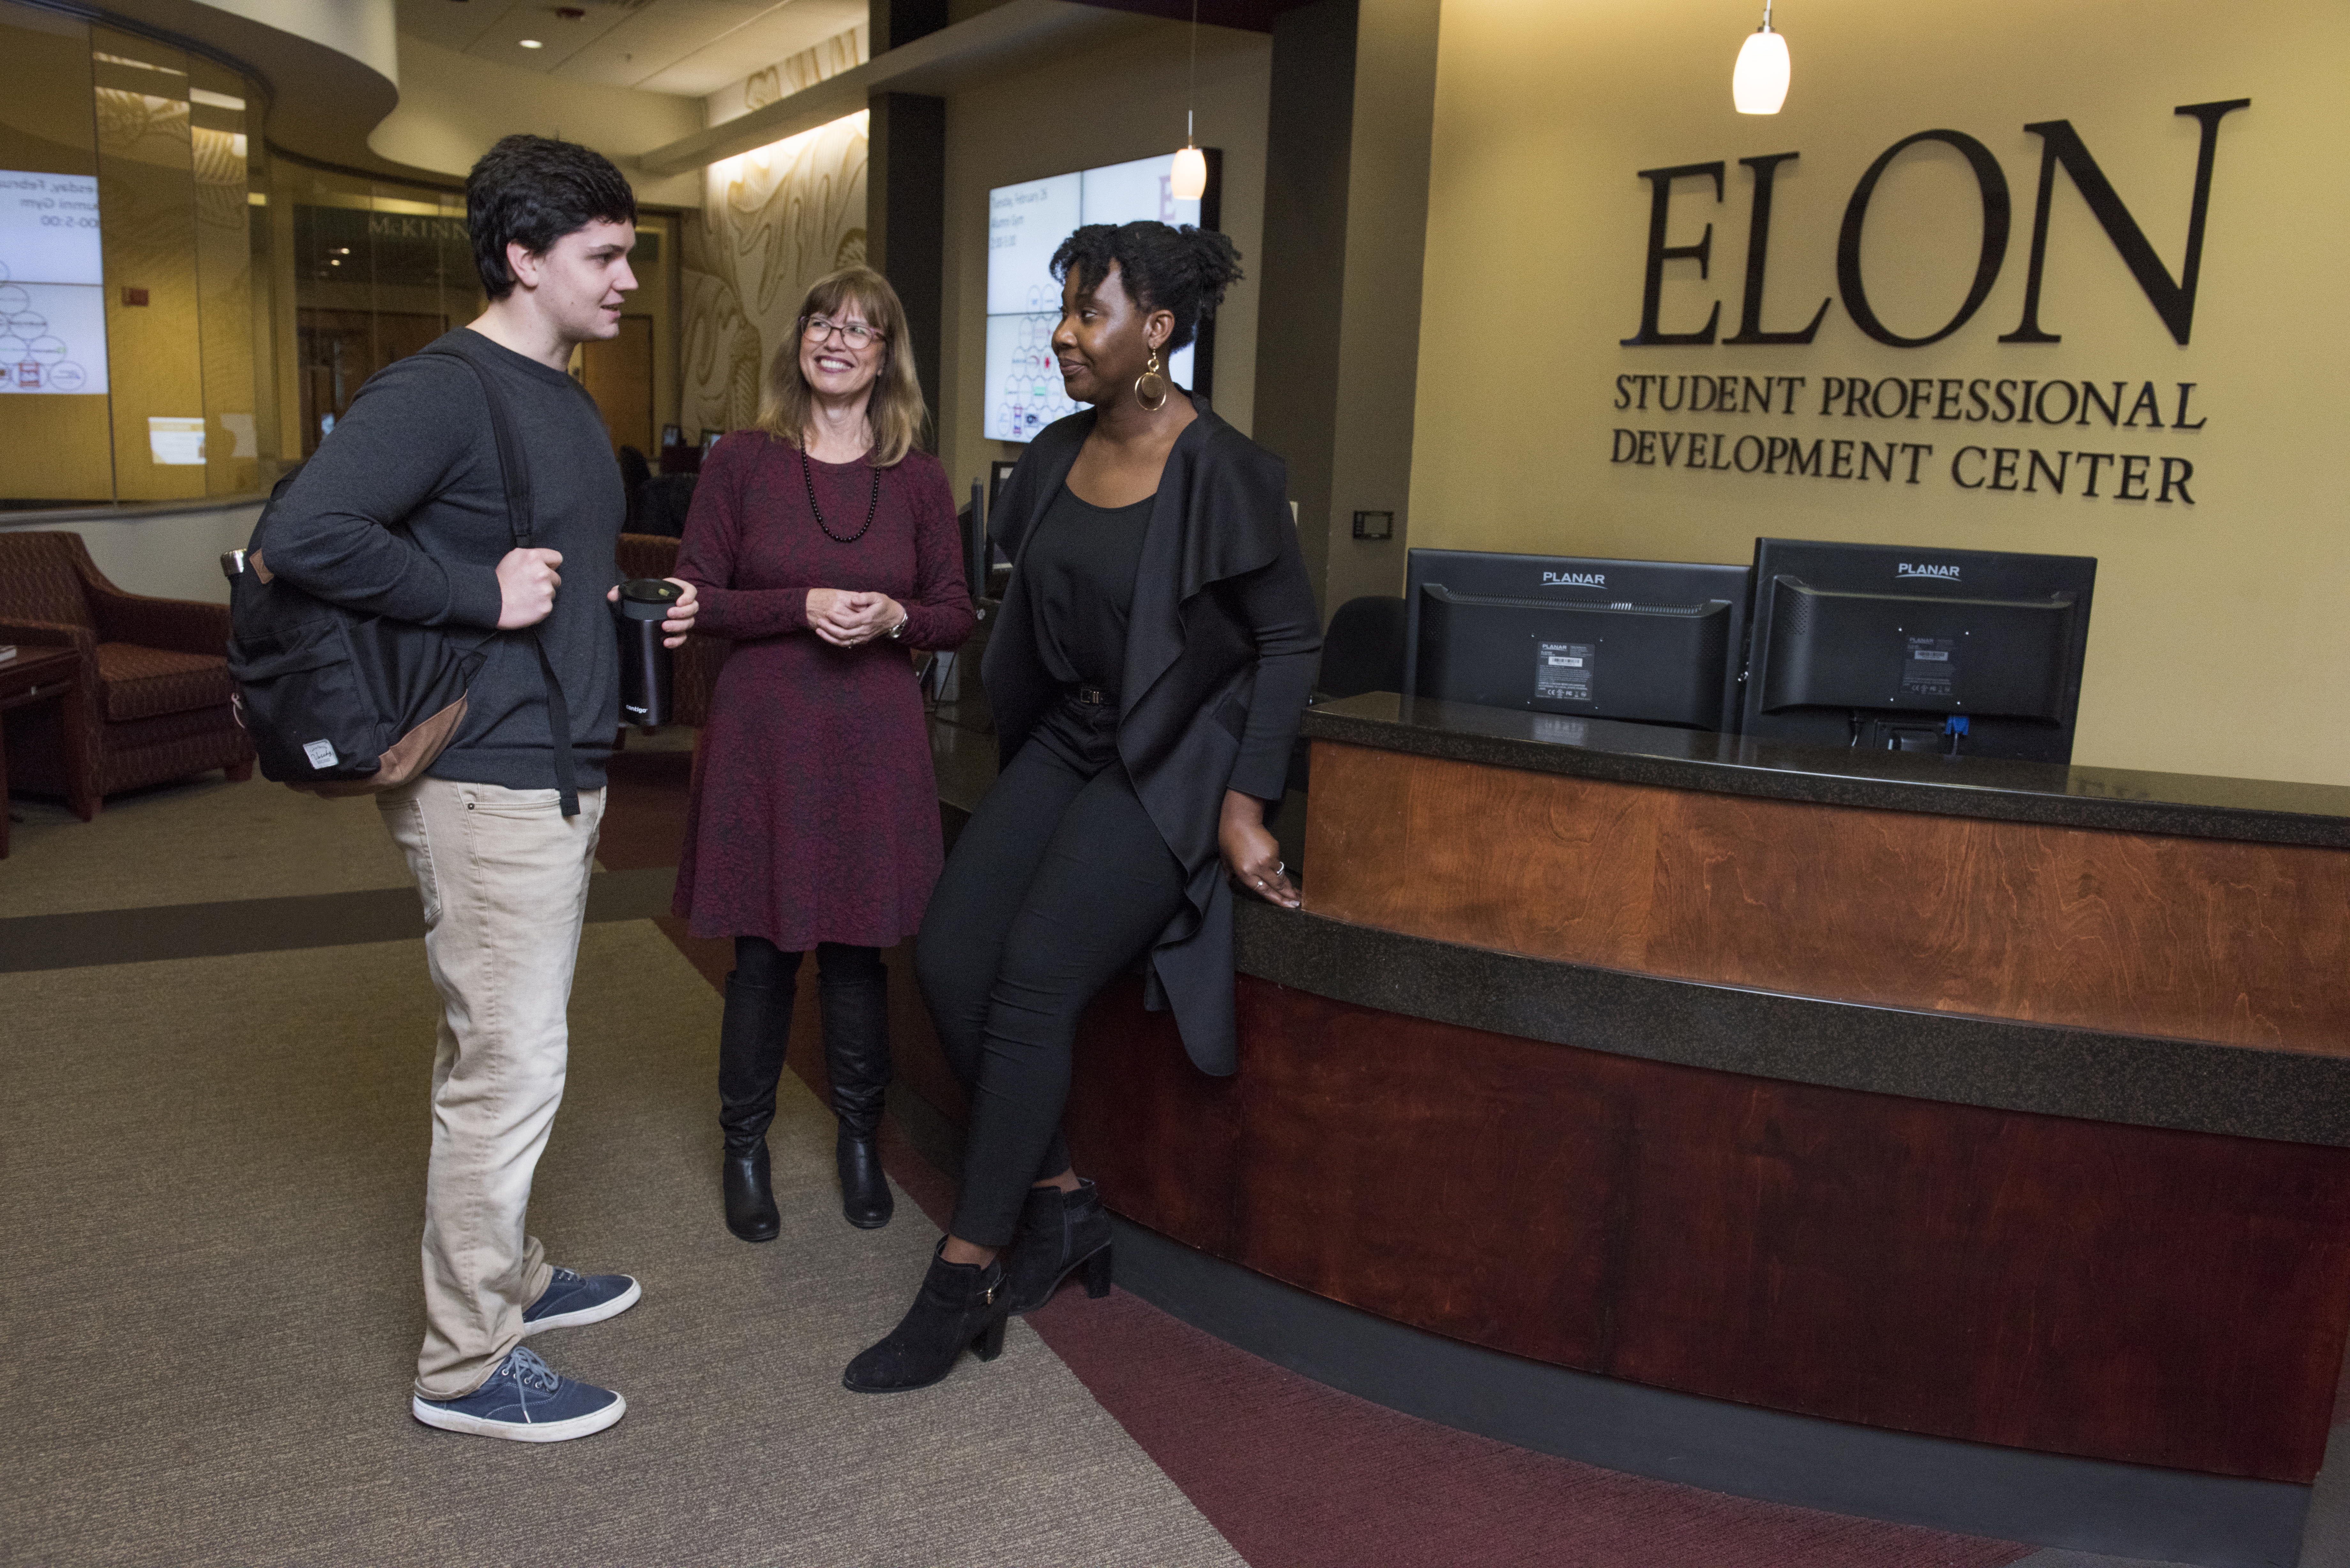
154,683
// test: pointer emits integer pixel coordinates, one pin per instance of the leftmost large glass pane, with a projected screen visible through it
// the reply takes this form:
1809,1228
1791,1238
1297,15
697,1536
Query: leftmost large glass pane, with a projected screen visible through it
135,328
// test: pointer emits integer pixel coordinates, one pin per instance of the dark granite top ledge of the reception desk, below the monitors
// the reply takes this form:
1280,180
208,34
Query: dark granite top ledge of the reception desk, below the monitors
2121,800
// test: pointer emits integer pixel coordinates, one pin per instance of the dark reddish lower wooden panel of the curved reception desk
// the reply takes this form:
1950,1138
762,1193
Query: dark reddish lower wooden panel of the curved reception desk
2069,1287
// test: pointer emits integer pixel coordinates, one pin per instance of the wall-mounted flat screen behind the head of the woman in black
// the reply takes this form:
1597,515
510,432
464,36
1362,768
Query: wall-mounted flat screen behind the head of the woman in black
1026,225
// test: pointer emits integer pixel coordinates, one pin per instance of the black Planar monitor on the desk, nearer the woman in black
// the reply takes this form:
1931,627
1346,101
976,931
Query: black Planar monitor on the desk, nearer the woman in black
1656,643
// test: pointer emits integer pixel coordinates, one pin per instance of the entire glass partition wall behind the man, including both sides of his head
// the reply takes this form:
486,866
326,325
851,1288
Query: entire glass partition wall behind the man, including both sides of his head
184,316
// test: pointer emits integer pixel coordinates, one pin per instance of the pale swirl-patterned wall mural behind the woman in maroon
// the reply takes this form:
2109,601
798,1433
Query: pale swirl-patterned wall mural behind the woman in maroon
772,225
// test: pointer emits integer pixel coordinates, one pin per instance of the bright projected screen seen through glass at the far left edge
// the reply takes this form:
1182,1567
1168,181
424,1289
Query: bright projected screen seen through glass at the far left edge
53,297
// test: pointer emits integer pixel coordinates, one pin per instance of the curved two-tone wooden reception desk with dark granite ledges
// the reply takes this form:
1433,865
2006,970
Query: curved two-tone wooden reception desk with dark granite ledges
1931,1139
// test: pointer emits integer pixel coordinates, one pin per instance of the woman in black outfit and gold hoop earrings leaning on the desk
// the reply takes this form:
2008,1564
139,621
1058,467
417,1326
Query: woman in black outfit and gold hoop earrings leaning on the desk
1148,671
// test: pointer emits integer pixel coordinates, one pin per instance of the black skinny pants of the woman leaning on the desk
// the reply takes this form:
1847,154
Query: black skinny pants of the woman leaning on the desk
1056,885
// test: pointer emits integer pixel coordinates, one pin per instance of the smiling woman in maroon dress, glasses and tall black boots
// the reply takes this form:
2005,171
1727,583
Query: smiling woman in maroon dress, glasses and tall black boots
826,547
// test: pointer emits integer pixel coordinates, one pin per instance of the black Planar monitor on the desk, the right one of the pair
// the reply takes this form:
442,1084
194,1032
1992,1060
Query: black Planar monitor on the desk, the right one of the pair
1919,650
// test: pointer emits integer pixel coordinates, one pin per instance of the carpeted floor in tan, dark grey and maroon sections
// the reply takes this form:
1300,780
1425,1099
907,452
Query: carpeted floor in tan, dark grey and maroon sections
210,1174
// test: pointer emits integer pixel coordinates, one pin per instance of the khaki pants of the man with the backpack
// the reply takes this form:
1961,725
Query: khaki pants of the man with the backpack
504,880
